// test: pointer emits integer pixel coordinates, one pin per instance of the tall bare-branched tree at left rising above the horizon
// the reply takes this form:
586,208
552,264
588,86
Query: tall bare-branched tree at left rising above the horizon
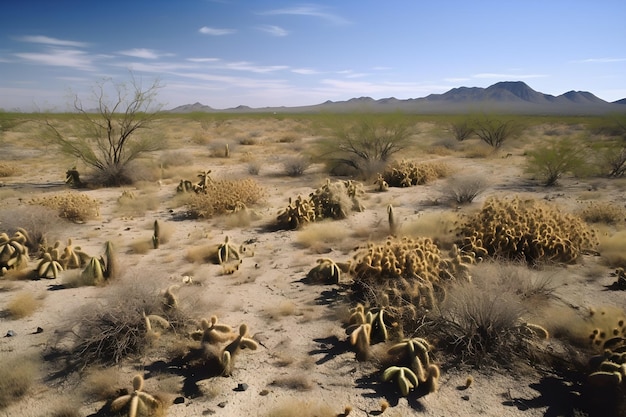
110,136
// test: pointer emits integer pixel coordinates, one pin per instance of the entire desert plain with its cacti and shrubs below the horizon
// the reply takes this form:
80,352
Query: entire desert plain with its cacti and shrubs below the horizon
244,267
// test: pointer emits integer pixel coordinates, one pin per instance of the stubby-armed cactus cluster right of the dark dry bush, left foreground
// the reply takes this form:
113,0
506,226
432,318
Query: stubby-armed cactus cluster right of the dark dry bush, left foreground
219,346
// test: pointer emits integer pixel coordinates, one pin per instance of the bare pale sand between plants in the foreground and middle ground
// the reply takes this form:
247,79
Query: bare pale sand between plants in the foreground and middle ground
301,338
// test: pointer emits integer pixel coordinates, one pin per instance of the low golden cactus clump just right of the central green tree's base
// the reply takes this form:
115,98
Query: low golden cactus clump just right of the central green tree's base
408,174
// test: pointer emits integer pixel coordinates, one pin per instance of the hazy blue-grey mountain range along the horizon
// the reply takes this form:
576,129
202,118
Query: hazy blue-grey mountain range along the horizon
514,97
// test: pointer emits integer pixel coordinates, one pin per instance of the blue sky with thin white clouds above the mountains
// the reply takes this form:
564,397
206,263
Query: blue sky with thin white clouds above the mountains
226,53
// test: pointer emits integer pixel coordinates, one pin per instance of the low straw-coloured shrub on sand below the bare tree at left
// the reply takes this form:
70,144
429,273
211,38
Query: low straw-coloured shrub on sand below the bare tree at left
72,206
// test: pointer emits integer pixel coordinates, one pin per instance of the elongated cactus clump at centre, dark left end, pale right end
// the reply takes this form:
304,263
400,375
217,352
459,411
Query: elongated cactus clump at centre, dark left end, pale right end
333,200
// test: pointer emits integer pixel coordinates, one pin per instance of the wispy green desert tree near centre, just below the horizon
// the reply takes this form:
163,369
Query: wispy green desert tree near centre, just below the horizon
364,143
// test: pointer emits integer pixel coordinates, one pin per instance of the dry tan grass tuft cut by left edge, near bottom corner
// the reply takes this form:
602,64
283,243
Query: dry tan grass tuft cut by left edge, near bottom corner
17,375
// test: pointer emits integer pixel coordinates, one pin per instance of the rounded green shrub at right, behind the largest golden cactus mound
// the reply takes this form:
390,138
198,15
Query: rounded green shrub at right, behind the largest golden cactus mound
550,162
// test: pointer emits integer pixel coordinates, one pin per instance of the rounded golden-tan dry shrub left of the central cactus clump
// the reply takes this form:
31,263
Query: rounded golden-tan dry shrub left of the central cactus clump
224,196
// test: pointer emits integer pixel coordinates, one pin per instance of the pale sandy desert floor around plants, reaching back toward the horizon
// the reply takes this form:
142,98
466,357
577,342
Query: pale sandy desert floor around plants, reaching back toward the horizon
304,365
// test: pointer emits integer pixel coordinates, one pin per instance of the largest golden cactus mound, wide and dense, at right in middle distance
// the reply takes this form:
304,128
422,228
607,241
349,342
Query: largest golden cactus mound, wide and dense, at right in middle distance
526,230
